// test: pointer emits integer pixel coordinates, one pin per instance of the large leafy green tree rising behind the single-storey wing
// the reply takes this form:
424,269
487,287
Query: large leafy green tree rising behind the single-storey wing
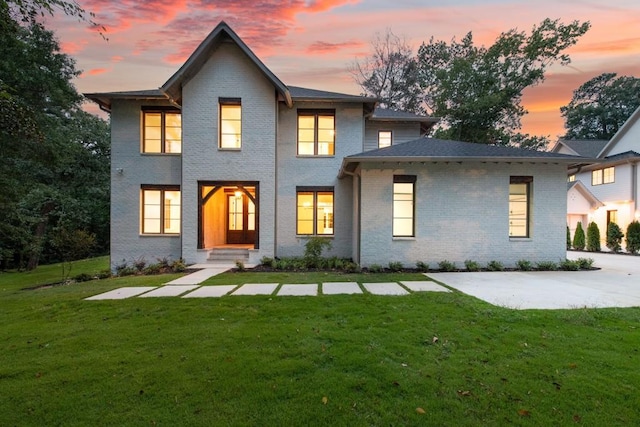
477,91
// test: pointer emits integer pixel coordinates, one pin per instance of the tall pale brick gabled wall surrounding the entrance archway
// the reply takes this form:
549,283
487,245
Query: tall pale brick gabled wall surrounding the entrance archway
228,74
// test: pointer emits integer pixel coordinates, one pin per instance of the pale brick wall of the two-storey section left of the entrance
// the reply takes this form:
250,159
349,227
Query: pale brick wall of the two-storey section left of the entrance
137,169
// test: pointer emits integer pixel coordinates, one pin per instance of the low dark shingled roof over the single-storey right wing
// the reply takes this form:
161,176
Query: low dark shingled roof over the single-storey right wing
440,150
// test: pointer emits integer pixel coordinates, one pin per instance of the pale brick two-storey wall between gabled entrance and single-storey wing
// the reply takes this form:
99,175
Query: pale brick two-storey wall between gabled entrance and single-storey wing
294,171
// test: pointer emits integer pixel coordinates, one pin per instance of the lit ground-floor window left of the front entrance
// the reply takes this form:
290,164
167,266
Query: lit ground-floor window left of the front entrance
160,209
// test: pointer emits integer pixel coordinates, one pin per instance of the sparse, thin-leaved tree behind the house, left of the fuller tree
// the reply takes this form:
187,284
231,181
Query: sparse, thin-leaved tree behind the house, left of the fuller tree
390,73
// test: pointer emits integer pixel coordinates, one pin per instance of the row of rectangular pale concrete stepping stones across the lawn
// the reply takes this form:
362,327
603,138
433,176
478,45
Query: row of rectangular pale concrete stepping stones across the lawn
328,288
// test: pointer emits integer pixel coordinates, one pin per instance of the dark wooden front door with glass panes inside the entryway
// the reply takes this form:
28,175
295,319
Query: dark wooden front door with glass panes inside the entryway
241,219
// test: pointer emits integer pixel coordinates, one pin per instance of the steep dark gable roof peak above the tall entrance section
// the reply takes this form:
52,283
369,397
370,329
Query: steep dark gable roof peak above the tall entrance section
220,34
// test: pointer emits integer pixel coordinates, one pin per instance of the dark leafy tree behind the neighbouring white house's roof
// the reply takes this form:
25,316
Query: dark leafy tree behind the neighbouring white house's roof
600,106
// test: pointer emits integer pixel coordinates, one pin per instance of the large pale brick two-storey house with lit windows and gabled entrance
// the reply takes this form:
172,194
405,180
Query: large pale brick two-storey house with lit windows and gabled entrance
225,157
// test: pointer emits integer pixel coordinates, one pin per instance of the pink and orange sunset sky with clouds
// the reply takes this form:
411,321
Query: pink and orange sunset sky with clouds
313,43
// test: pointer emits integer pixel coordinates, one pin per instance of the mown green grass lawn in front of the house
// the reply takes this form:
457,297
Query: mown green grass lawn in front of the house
421,359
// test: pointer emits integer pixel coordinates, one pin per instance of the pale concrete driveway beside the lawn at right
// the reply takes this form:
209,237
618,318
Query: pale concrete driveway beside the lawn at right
616,284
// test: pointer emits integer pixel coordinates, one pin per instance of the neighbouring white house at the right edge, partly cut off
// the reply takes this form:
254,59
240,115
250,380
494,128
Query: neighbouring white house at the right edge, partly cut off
605,191
